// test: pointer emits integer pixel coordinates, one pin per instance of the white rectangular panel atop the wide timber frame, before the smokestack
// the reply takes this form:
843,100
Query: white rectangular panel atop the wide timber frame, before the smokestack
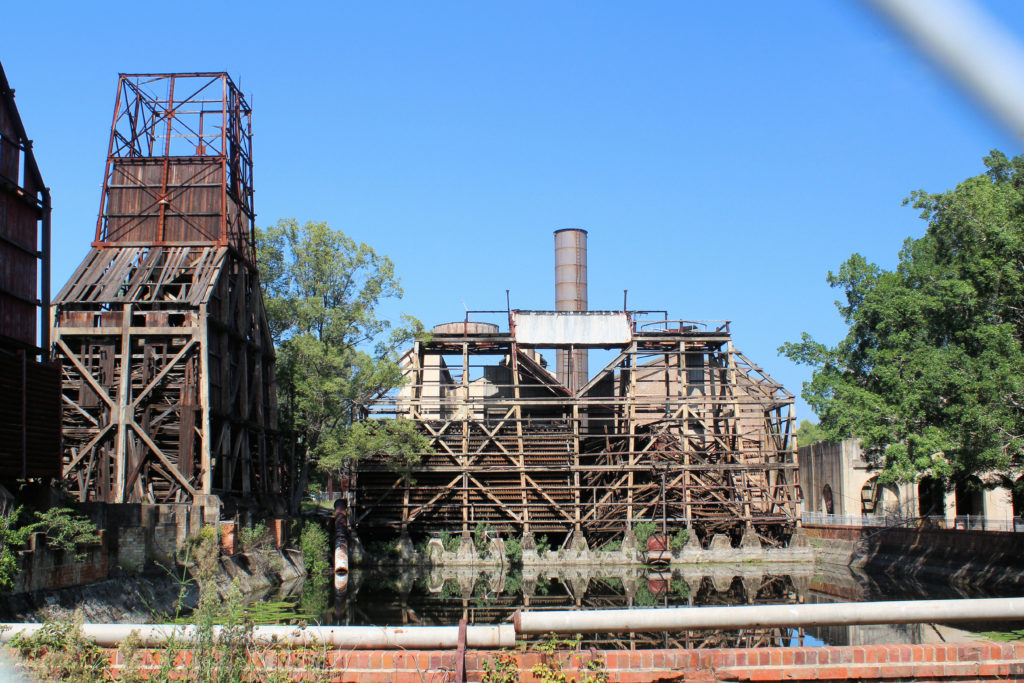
572,328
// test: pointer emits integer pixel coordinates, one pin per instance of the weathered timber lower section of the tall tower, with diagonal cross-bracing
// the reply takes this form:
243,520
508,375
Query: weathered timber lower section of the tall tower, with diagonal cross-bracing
168,377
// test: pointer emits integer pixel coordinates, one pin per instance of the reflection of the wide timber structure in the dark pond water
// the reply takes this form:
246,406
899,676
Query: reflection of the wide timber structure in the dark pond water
444,596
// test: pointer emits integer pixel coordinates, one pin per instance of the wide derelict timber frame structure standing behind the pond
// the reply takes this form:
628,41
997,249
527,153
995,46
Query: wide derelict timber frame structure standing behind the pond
679,430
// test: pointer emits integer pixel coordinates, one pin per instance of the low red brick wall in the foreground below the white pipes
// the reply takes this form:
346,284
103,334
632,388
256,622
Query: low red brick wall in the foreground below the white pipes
934,663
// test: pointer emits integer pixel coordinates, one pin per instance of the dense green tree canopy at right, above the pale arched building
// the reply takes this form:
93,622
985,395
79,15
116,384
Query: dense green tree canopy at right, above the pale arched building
931,372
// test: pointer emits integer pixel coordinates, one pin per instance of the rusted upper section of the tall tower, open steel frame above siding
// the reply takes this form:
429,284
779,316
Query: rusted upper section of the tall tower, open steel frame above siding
180,165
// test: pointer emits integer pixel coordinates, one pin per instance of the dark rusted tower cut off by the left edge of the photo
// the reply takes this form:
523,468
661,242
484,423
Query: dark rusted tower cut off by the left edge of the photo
30,413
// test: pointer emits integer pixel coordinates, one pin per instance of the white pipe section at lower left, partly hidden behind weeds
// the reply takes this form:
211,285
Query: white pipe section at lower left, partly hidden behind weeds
345,637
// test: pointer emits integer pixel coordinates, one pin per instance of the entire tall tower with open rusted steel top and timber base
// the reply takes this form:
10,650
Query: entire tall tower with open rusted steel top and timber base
168,363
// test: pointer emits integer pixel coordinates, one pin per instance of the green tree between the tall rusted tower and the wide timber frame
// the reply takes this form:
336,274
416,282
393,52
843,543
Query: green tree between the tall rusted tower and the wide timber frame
322,292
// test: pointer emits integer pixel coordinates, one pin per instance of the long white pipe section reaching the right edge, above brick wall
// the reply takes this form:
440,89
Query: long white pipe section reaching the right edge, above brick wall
835,614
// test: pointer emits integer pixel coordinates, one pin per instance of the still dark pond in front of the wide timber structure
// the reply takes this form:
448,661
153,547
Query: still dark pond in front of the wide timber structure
444,596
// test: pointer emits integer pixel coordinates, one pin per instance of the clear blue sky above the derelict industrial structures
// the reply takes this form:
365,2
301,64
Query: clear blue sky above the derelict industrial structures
723,156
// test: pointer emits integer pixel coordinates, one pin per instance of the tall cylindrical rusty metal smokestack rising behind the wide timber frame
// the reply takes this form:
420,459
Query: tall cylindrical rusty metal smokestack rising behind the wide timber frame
571,294
